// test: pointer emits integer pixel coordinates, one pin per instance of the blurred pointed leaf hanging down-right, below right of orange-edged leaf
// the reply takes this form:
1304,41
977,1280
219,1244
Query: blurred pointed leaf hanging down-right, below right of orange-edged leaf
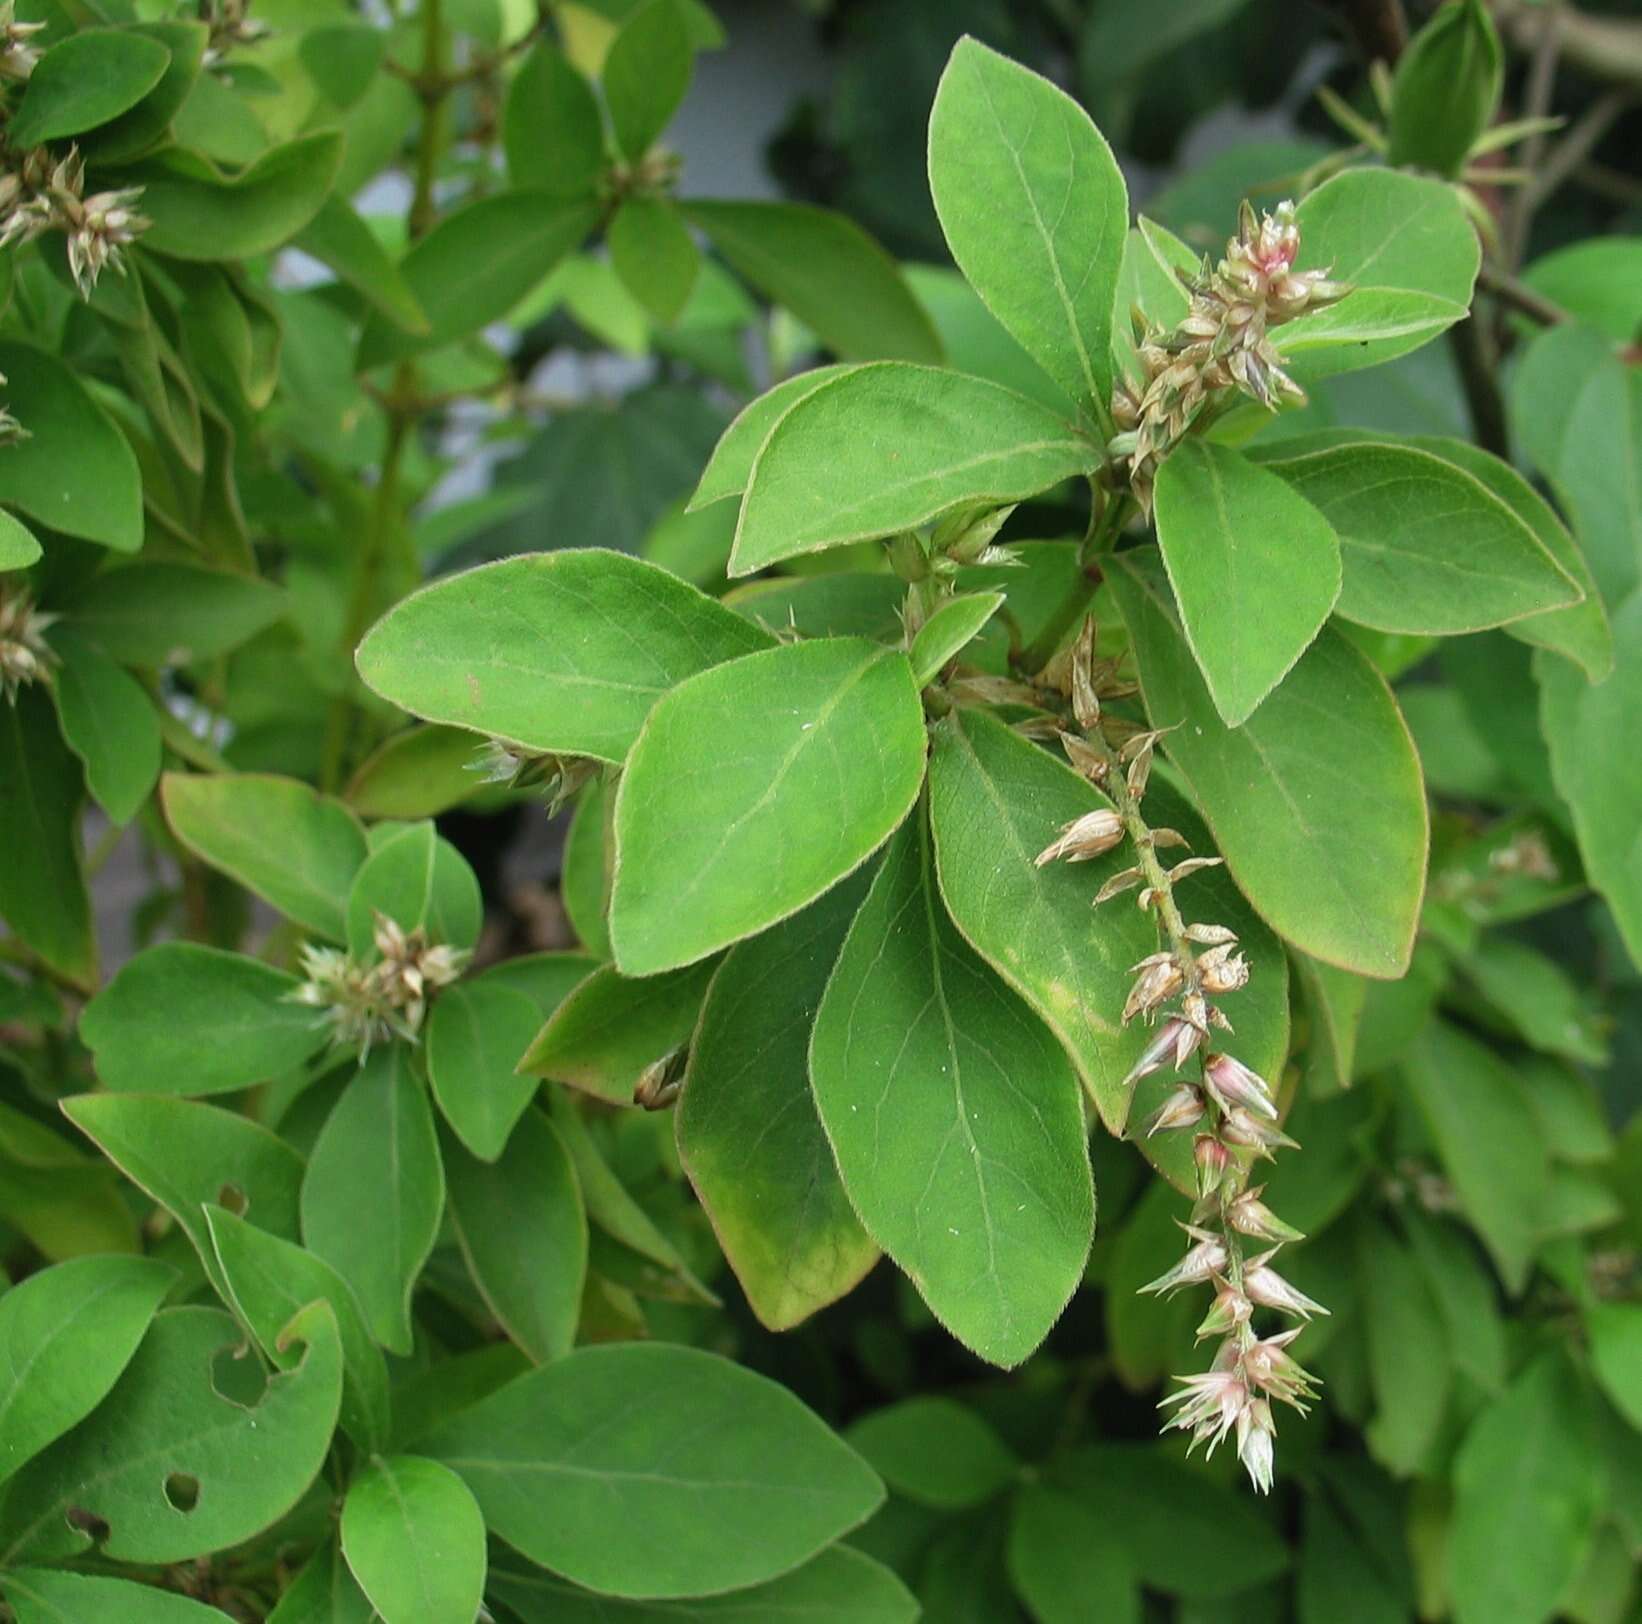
1488,1140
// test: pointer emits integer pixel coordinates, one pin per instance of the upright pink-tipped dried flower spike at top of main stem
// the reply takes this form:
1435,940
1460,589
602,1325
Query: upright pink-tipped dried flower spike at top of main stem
1221,349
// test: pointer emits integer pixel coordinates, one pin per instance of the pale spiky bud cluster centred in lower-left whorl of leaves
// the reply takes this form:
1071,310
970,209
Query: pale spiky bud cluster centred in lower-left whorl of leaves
367,1004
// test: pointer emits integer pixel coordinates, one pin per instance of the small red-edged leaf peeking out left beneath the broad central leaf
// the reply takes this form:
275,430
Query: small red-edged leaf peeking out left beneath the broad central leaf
613,1027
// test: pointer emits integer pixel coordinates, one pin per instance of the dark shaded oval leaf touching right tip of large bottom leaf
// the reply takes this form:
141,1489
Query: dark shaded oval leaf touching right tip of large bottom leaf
935,1452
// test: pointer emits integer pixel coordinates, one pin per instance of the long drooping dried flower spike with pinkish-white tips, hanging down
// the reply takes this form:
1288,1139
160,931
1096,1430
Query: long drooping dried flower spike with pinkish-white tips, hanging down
1229,1109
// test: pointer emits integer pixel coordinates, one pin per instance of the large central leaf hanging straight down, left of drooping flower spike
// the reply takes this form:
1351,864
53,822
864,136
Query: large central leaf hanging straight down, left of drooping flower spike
955,1117
